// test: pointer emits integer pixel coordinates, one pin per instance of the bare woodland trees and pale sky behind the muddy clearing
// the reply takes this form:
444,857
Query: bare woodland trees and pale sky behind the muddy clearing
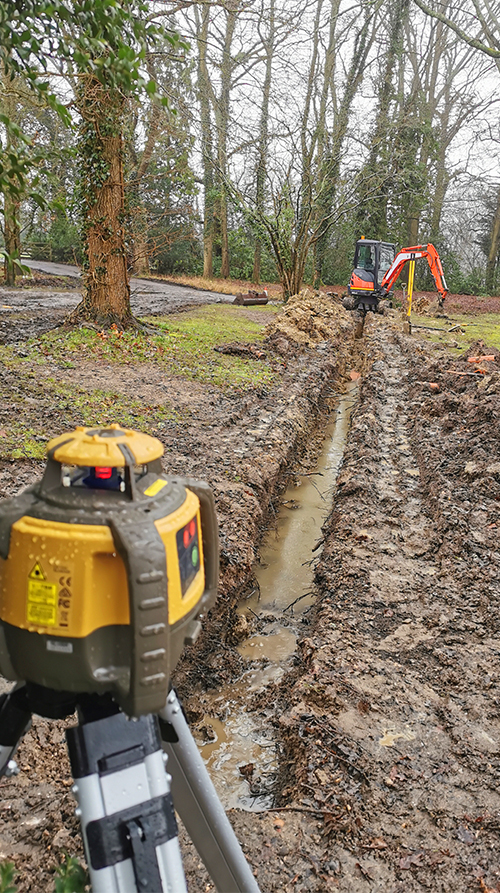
255,140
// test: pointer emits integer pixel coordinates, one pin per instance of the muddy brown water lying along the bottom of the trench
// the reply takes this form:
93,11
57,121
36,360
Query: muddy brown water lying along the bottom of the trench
239,750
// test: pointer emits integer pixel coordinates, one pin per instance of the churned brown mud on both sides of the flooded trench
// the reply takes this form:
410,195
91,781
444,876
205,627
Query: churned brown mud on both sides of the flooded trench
387,723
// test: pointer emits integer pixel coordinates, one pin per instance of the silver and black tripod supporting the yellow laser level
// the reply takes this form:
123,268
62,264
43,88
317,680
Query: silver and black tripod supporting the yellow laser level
125,796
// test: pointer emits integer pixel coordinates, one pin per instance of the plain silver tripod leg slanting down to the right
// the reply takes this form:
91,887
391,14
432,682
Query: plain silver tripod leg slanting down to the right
199,807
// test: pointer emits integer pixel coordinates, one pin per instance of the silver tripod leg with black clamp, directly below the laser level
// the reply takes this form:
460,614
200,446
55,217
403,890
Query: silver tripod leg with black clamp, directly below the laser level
125,807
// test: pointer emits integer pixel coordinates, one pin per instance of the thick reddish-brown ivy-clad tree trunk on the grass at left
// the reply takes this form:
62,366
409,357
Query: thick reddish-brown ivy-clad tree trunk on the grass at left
106,295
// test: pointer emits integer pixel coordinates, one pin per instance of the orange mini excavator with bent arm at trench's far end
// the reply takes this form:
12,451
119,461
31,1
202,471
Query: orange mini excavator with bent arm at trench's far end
377,266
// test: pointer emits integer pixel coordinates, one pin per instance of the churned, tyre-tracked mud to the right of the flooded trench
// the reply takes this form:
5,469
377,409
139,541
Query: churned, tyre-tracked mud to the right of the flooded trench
394,731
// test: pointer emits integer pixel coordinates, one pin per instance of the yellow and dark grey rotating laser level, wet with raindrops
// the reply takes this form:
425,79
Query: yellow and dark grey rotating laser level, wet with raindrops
107,567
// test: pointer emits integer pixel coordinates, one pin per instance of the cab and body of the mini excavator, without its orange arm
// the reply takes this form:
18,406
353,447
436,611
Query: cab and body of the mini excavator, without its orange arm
372,260
